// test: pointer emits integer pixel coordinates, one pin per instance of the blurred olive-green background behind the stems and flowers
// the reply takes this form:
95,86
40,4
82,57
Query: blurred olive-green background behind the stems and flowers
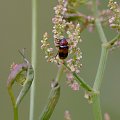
15,33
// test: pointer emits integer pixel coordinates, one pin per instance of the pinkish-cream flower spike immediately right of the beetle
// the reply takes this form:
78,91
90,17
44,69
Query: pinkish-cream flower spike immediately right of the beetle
74,38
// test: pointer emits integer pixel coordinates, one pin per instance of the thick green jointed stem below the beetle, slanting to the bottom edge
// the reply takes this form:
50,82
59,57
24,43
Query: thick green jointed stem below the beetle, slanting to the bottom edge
53,97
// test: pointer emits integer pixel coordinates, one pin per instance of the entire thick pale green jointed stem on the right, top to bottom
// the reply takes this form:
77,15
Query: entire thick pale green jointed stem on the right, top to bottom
102,64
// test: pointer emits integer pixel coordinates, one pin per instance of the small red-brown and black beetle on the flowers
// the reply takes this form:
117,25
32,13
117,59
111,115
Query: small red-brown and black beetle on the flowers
63,48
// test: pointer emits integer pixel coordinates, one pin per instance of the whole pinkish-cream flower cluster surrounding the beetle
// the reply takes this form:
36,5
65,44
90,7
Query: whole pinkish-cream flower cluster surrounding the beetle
71,32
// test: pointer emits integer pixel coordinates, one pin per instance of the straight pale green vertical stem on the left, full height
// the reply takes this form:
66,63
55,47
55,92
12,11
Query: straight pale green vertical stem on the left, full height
34,57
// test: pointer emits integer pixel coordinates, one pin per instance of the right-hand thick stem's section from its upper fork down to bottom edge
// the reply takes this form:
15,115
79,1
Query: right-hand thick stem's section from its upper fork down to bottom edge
97,83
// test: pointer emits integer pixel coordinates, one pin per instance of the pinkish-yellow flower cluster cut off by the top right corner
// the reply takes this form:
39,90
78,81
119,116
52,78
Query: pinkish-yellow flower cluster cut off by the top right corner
114,20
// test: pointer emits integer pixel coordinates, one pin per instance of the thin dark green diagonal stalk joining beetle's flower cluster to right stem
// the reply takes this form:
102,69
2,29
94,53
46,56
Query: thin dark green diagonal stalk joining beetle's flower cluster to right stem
80,80
